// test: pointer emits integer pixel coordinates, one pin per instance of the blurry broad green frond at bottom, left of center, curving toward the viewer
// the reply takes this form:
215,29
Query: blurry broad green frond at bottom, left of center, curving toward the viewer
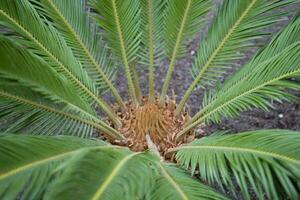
115,174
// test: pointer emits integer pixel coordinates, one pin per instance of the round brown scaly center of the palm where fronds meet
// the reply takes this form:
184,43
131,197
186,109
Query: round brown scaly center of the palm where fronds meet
158,122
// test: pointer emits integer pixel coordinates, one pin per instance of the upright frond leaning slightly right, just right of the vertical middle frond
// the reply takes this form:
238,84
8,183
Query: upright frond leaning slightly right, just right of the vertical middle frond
182,20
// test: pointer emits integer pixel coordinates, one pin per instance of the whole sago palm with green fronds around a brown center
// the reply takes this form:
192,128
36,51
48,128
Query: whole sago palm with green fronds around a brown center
58,58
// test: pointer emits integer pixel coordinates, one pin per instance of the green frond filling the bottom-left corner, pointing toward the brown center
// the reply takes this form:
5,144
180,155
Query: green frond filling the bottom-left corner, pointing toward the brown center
27,163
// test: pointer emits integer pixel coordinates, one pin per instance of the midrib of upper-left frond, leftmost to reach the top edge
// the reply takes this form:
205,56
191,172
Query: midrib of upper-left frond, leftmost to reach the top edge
88,54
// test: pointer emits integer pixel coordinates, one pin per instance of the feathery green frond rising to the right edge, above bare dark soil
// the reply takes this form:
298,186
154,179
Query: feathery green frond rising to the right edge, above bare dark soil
259,81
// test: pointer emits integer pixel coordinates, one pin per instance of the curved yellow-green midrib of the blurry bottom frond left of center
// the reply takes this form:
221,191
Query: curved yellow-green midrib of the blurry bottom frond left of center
113,173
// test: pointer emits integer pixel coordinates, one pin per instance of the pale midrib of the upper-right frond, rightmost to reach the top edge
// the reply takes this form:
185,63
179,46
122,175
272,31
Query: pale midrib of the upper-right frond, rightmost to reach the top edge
212,57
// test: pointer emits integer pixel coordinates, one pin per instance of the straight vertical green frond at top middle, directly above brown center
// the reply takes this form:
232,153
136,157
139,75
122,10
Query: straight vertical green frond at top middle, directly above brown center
152,37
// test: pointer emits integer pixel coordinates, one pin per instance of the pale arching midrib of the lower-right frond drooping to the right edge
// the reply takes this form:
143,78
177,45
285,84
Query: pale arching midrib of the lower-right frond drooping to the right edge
240,149
